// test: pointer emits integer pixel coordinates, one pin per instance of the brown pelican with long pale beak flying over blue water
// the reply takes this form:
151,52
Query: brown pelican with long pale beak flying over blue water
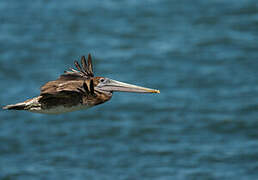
75,90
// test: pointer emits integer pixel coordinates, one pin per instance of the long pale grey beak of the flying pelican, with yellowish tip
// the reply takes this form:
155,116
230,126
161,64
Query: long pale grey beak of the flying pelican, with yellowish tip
113,85
